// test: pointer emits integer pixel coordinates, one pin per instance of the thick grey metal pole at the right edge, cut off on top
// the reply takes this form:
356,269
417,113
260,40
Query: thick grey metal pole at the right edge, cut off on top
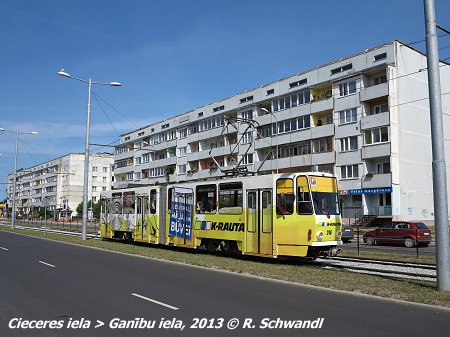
437,142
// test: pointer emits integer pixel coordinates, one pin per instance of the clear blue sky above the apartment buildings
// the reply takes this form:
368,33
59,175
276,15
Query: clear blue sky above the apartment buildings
170,56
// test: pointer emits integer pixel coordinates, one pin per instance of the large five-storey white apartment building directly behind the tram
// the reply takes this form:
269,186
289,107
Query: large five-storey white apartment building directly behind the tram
364,117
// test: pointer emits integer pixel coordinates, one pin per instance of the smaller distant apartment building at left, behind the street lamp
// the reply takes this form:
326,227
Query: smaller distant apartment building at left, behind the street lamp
58,183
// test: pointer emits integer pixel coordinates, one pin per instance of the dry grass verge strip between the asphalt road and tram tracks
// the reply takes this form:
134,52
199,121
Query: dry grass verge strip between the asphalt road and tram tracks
407,290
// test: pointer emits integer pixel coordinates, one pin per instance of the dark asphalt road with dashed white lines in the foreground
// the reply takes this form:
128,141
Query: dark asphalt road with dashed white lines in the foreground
53,281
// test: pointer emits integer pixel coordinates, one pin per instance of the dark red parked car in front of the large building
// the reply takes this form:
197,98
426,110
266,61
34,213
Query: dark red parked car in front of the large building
408,233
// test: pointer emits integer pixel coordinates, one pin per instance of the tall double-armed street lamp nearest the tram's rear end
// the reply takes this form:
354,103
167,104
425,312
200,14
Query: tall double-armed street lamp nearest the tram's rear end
86,151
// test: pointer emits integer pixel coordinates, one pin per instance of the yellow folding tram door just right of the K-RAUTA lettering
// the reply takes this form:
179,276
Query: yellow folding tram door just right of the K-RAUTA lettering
259,222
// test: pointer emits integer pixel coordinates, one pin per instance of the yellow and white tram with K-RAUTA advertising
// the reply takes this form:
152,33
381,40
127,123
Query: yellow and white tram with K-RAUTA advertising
295,214
